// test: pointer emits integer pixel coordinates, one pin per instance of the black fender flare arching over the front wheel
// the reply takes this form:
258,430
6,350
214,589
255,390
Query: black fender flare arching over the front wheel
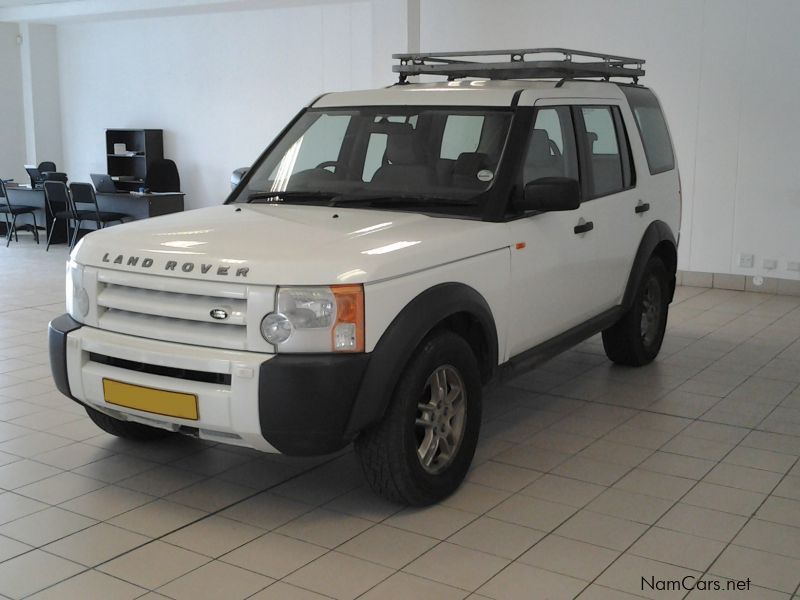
404,334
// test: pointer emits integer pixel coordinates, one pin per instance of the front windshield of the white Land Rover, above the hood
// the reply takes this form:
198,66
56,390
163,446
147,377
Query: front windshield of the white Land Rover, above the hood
434,157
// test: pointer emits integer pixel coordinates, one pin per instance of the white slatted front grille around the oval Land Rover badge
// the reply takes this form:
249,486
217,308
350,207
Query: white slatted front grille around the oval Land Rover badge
172,309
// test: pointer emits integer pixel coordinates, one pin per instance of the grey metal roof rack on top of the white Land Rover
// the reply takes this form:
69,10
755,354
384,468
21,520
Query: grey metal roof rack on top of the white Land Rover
453,65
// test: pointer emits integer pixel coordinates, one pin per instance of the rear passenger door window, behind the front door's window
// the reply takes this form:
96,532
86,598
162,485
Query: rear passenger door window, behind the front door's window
601,144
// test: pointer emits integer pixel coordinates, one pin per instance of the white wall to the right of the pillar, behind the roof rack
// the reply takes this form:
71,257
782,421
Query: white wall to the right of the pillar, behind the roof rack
727,74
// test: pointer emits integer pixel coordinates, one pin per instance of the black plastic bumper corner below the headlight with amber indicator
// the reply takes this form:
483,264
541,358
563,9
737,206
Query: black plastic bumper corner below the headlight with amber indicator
305,400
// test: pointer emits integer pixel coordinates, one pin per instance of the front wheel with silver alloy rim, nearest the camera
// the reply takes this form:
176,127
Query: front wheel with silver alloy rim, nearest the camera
390,451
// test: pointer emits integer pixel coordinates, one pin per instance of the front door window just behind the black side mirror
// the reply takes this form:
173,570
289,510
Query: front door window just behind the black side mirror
551,146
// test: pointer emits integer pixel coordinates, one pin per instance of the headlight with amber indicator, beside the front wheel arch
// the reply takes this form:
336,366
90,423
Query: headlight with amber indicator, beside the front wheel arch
317,319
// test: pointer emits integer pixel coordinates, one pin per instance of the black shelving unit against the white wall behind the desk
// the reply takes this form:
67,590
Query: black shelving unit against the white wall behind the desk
129,170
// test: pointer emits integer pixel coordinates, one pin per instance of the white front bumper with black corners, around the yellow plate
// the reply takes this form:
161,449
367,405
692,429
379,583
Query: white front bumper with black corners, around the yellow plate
294,404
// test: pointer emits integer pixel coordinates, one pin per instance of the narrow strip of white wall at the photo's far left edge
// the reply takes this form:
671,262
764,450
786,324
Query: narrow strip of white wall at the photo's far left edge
12,119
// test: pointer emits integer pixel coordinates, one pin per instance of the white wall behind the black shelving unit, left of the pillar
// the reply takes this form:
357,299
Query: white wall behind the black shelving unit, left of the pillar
220,85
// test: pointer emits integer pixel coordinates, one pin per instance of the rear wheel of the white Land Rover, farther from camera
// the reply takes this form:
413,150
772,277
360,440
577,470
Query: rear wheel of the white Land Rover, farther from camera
636,338
